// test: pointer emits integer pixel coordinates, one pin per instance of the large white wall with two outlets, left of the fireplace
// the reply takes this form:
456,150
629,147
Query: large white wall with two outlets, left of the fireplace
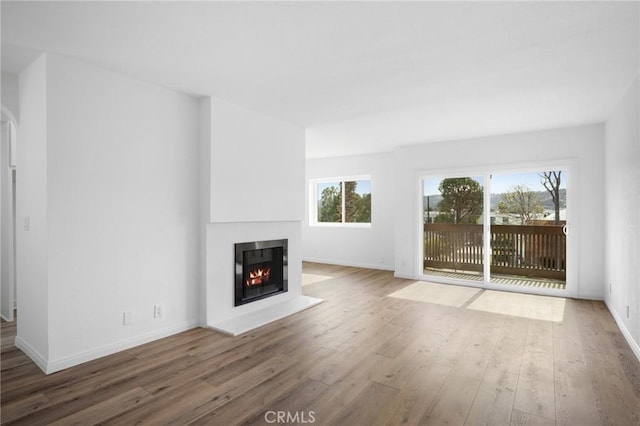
122,207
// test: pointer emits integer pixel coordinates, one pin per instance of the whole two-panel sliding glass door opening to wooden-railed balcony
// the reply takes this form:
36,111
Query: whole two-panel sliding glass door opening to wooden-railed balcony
498,228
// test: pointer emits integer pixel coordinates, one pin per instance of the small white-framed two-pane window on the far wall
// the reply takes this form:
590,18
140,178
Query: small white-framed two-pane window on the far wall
341,201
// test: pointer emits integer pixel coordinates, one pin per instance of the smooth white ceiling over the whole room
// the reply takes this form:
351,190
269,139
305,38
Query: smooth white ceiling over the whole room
359,76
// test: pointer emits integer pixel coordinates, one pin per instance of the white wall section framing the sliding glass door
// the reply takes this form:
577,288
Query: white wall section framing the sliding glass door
581,145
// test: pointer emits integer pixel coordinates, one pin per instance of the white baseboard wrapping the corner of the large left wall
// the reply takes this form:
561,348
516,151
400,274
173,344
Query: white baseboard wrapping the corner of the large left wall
71,361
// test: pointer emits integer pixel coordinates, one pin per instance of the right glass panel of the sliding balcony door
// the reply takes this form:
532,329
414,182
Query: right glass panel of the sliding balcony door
528,229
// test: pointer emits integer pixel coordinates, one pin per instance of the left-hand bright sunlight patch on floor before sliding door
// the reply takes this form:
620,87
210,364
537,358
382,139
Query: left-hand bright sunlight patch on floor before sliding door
441,294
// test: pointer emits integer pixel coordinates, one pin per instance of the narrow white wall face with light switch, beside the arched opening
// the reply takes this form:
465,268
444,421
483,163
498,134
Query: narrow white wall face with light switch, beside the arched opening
32,244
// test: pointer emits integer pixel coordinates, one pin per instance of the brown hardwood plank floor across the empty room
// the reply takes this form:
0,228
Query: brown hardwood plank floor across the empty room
360,358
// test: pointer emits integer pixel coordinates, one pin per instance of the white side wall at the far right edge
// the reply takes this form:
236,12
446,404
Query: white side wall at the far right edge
622,201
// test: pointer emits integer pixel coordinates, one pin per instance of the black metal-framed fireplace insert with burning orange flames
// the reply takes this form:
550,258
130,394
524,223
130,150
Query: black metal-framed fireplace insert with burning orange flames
260,270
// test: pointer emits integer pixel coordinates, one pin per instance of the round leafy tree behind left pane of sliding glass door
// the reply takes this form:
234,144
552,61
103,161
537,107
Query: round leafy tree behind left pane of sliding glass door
461,201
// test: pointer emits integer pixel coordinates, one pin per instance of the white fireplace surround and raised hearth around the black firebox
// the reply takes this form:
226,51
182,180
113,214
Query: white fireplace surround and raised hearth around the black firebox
221,314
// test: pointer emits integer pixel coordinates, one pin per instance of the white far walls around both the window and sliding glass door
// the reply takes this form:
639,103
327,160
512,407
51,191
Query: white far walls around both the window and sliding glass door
394,234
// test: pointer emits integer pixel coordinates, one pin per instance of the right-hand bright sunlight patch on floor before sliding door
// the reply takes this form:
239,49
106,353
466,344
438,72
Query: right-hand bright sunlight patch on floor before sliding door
521,305
